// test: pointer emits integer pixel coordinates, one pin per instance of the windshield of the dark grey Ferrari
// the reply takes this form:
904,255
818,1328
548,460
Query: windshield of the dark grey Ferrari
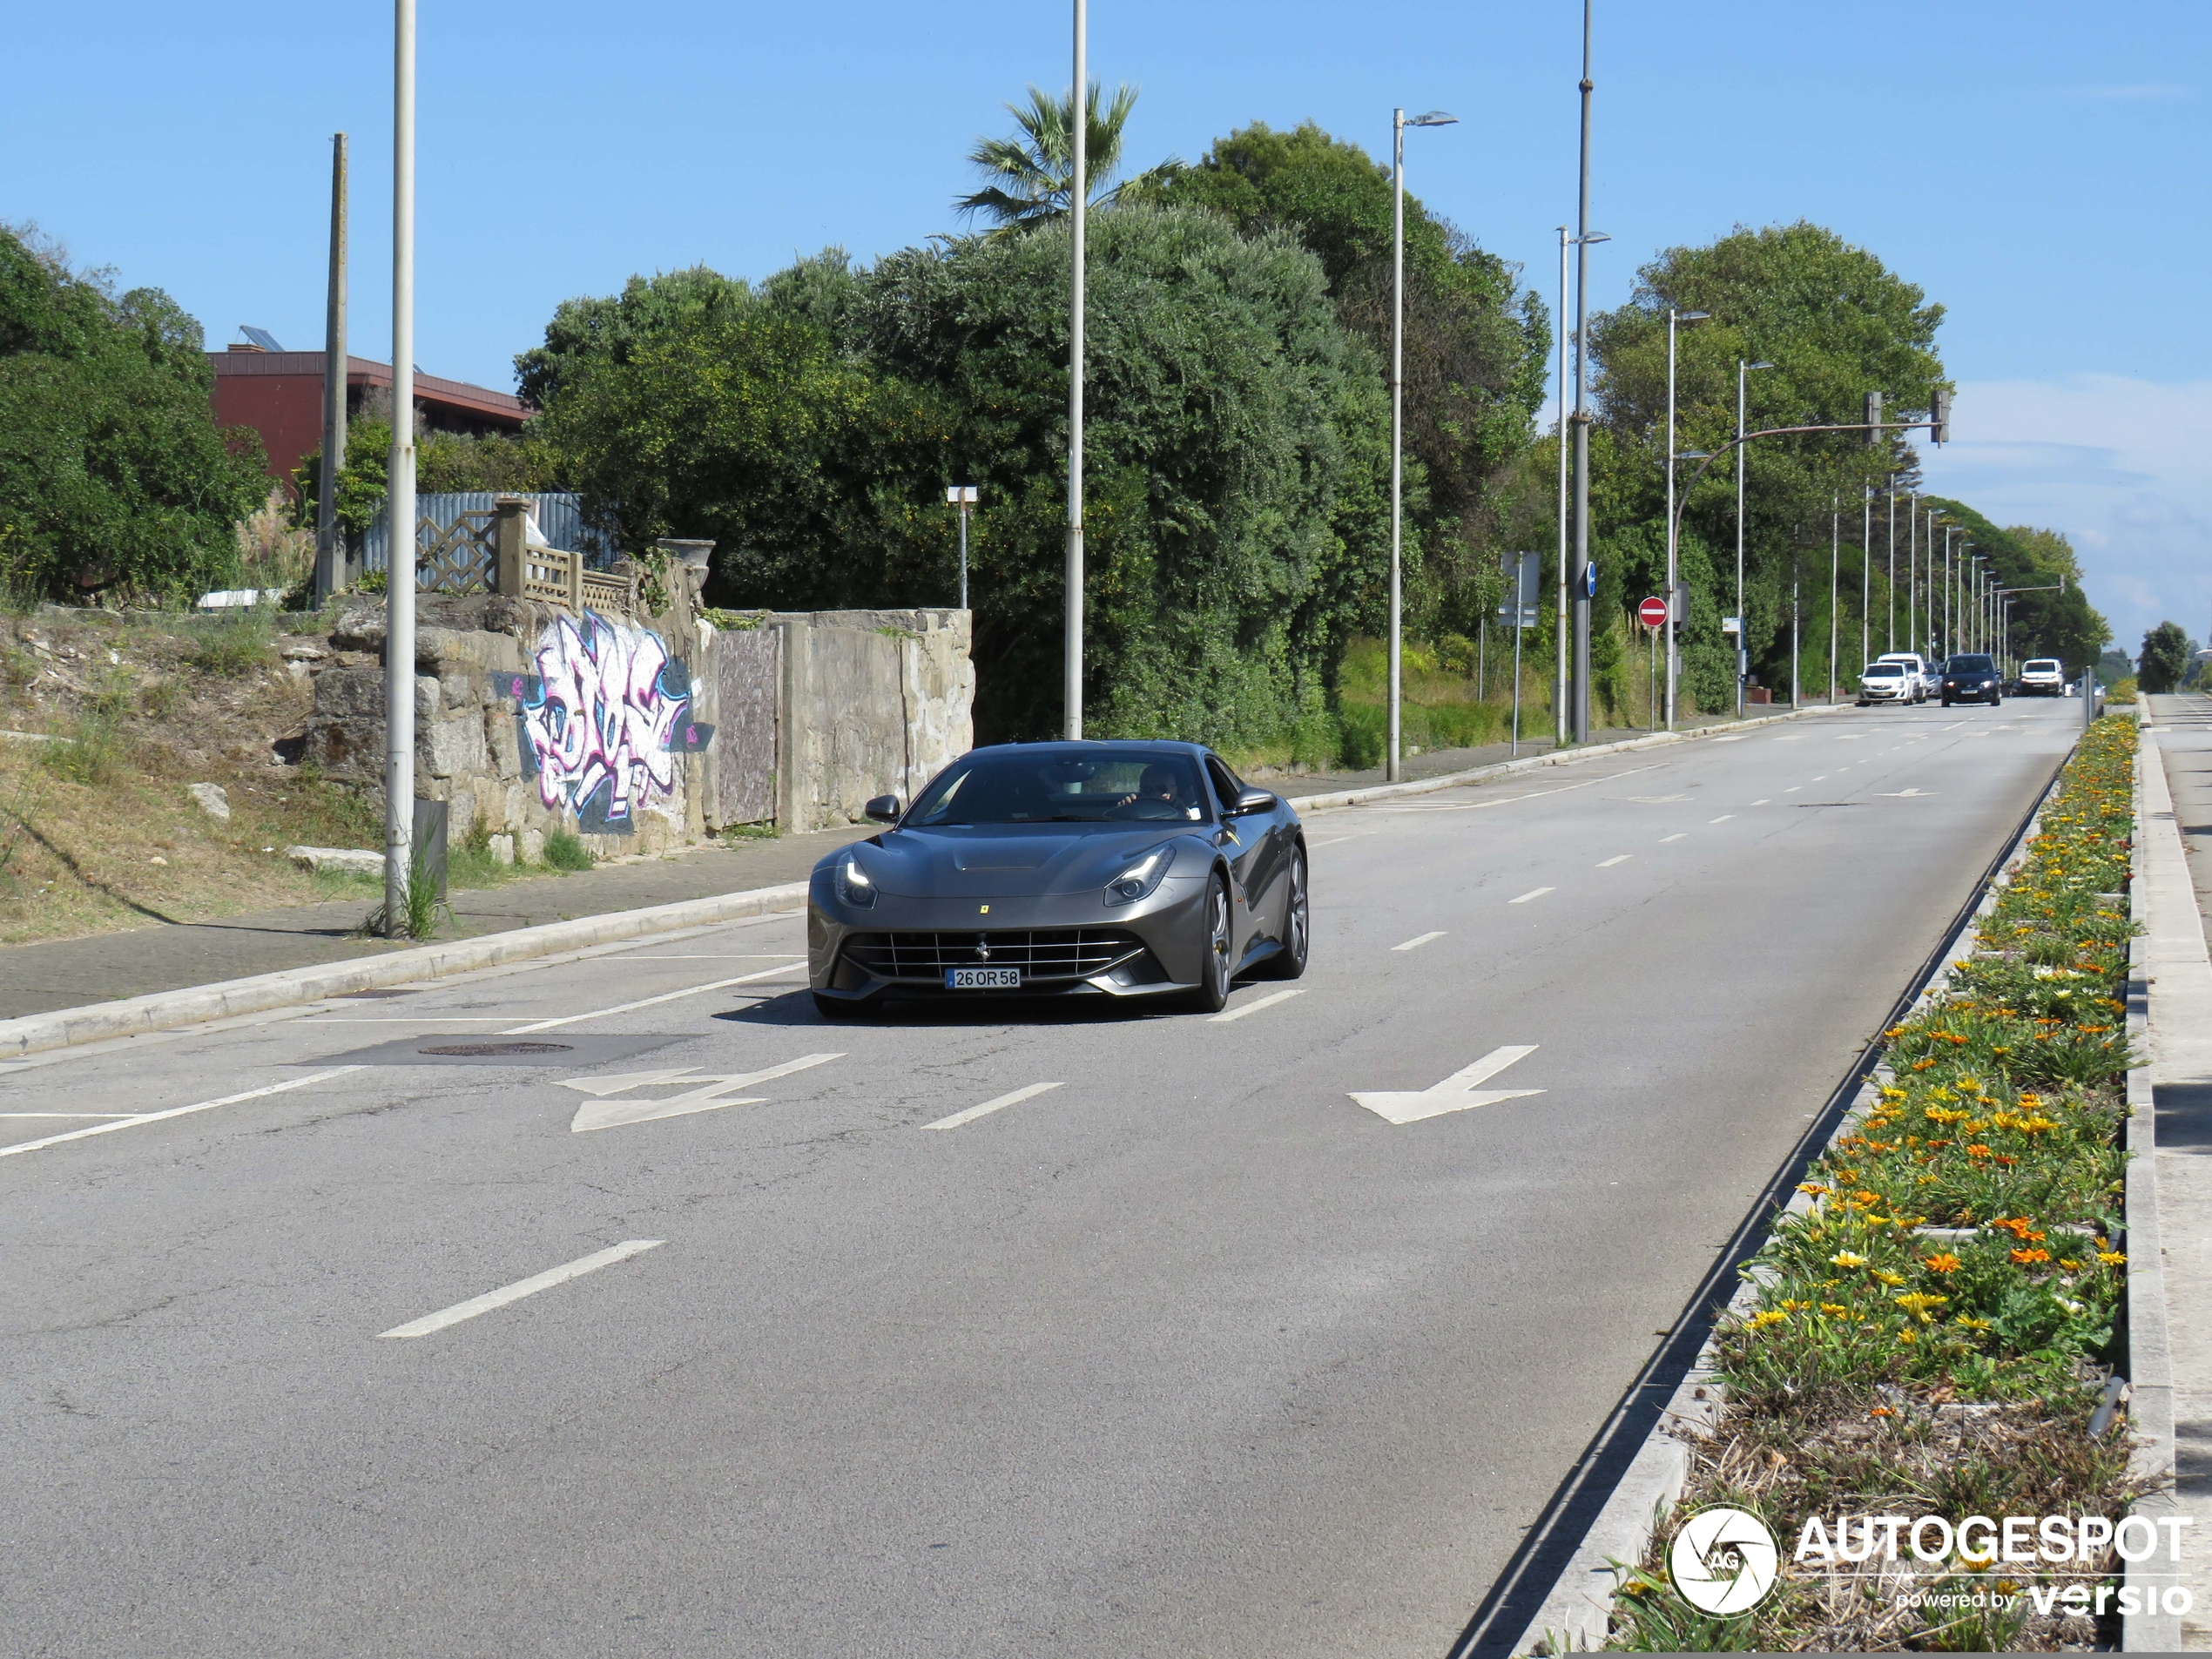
1039,786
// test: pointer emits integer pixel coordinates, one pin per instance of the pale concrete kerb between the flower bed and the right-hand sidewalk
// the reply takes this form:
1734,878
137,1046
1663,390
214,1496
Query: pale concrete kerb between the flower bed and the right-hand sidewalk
2162,961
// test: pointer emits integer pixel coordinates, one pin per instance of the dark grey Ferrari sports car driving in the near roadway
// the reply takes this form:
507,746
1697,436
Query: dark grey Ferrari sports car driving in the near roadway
1127,870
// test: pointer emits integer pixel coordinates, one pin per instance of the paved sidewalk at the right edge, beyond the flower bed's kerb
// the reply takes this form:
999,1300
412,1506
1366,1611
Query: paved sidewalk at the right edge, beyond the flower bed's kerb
2178,742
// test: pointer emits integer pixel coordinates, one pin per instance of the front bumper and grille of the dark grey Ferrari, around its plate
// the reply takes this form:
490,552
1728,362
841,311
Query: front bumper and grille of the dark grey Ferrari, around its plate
1063,943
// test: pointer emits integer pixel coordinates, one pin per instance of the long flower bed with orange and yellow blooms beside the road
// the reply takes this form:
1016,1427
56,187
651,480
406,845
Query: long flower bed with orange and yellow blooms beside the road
1930,1335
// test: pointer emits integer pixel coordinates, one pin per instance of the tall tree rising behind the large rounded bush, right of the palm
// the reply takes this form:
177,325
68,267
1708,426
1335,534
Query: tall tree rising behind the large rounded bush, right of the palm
1474,342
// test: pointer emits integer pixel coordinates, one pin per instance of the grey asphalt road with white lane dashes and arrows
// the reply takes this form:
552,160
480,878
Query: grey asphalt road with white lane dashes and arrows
1187,1355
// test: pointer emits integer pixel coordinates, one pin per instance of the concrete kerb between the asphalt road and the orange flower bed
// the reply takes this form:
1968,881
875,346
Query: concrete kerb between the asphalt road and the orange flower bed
1576,1616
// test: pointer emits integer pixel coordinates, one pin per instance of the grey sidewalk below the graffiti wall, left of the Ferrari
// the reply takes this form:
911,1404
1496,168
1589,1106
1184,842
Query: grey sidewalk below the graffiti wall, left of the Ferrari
70,974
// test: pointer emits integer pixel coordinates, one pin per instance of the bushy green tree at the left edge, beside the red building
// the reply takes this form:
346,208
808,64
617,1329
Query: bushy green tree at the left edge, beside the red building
114,474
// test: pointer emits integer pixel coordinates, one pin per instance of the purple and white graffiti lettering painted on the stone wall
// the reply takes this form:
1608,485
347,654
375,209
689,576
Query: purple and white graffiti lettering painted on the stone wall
603,720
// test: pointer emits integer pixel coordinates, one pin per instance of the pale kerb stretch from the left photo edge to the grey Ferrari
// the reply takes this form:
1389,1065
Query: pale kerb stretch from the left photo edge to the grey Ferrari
262,992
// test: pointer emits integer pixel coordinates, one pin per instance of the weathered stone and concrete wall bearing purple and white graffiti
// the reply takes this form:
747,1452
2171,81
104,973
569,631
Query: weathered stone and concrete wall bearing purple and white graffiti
534,720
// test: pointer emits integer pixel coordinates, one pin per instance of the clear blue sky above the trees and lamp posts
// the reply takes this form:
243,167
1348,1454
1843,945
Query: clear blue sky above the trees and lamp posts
2034,167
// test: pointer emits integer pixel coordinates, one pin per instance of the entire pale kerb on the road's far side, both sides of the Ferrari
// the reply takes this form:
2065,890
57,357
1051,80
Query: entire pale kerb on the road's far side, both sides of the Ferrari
289,988
